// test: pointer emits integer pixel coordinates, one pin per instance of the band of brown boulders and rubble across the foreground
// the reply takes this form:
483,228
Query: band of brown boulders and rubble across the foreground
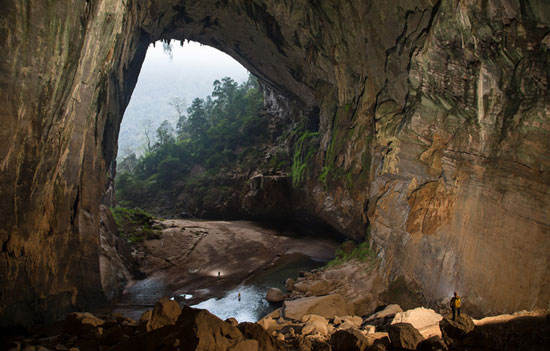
313,323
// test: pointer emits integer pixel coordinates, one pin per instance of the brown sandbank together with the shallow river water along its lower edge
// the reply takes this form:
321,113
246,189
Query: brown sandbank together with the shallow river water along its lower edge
249,257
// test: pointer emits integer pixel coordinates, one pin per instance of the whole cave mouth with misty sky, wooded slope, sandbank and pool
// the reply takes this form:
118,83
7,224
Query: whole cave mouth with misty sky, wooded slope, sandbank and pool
194,132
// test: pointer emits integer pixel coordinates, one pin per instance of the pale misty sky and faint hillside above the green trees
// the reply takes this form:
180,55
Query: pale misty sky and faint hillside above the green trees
187,75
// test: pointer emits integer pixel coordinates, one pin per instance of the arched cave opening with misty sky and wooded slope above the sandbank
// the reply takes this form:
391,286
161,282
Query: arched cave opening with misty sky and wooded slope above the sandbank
194,130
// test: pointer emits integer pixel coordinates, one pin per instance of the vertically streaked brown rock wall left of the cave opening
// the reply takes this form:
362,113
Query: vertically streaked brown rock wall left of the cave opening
66,72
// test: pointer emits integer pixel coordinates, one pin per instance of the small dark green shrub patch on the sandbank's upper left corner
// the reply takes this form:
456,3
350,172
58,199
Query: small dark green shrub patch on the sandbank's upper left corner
134,225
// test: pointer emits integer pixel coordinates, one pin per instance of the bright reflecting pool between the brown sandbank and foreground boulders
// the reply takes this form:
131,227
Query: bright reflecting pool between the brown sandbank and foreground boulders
252,305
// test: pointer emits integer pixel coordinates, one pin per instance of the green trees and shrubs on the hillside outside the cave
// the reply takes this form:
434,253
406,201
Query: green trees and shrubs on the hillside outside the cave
218,133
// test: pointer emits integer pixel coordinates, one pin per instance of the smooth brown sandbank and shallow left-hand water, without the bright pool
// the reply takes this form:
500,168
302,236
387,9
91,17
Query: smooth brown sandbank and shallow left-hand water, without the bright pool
188,254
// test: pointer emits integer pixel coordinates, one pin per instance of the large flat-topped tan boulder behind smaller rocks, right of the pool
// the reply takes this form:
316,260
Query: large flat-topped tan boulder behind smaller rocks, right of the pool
327,306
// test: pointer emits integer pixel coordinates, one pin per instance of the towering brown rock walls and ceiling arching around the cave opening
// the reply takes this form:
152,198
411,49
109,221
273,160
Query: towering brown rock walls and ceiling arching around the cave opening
434,133
